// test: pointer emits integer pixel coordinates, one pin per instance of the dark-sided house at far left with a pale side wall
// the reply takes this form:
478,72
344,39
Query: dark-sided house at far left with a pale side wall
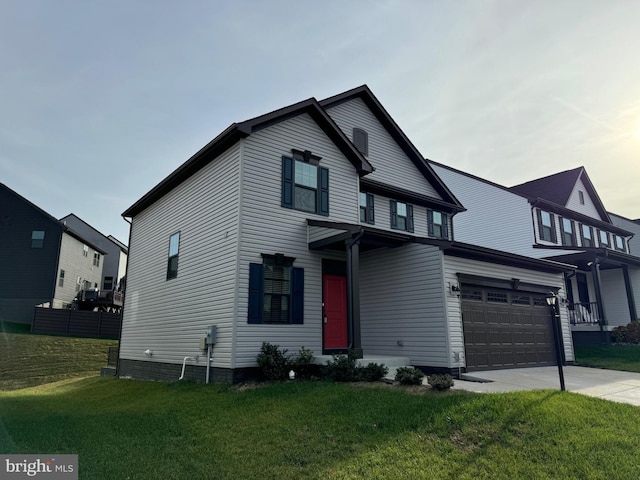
44,261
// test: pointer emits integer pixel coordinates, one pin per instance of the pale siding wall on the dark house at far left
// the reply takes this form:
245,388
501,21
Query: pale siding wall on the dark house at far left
75,265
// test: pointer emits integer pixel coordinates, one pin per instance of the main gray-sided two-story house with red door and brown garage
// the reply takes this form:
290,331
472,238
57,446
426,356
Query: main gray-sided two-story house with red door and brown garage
320,225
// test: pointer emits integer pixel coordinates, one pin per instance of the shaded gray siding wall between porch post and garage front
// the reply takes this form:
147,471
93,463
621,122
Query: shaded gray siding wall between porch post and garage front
401,295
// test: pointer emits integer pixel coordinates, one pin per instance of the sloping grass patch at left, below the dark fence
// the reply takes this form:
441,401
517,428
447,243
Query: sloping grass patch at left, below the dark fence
27,360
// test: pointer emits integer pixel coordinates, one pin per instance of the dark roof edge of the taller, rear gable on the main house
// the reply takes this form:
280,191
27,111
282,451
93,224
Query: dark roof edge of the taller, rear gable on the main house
366,95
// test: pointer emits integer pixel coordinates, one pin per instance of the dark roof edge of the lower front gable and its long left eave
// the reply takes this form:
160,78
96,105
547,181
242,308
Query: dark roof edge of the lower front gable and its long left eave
237,131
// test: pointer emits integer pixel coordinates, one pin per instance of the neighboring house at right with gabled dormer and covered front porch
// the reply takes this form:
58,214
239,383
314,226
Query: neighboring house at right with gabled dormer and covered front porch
560,218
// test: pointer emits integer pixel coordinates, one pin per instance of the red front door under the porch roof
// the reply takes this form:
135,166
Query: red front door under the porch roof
335,311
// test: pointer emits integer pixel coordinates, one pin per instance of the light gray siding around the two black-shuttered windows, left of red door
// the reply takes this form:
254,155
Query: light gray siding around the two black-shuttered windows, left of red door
269,228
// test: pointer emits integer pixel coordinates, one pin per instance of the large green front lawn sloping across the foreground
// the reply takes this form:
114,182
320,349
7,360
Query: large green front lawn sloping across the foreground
128,429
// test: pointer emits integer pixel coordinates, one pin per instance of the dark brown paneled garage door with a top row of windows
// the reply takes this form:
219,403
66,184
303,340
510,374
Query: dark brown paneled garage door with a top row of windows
506,329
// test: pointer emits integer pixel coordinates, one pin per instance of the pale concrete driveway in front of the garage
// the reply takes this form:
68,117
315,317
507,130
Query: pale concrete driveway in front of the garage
611,385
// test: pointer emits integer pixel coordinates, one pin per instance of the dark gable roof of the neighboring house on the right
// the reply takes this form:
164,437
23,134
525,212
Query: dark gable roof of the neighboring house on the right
557,188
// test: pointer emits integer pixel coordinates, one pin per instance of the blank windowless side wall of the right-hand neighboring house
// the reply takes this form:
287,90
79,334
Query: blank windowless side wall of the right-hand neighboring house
495,218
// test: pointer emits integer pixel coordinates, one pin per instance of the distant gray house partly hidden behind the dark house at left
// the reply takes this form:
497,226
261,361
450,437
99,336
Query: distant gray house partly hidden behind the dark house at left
115,261
